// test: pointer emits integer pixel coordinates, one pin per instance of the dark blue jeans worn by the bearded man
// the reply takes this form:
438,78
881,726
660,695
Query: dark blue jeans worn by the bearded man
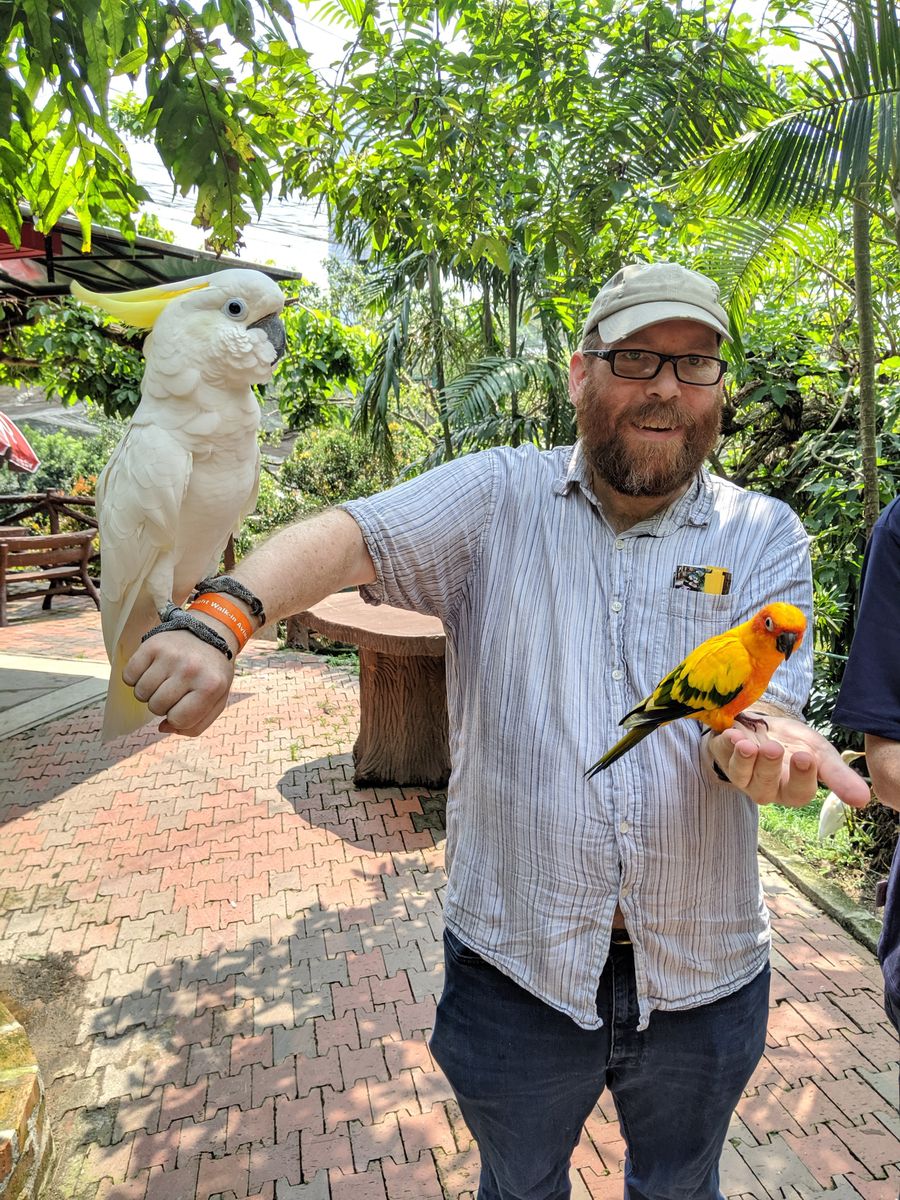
527,1077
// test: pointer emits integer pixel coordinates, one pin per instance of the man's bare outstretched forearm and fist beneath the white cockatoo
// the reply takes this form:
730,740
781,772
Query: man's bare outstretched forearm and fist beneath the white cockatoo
188,682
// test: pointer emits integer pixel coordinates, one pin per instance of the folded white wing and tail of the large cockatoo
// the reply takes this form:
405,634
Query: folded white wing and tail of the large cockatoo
140,497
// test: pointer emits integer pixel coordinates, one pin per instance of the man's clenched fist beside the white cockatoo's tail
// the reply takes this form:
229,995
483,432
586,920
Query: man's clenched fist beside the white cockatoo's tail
182,680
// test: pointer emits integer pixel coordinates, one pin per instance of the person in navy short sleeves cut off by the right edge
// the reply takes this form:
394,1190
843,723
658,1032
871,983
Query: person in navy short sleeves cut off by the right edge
869,701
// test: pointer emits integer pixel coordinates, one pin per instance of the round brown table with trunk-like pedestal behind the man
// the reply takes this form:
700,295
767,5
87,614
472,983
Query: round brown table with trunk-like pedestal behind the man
404,736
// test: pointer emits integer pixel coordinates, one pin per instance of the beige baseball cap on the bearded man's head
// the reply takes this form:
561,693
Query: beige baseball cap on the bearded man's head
645,293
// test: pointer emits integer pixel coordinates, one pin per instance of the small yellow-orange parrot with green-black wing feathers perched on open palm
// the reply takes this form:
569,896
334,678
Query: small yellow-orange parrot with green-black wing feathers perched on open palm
718,680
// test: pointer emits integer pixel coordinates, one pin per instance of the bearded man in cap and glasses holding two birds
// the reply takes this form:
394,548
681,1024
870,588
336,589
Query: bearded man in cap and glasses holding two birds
607,932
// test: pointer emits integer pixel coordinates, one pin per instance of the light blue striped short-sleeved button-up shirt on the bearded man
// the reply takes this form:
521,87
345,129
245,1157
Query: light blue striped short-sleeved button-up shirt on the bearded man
556,627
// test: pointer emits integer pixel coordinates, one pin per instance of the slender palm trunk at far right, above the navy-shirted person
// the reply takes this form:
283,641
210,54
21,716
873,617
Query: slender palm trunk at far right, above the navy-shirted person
866,321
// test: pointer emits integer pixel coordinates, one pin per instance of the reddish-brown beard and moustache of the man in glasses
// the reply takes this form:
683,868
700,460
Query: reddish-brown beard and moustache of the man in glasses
656,469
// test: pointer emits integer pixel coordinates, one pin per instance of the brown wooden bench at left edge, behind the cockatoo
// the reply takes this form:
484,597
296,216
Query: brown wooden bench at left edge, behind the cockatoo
62,559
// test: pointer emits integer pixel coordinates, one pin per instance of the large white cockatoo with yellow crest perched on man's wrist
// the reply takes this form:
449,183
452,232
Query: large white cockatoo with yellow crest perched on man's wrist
187,472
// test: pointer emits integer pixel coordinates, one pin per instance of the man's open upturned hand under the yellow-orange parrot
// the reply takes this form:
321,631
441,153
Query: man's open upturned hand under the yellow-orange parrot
785,764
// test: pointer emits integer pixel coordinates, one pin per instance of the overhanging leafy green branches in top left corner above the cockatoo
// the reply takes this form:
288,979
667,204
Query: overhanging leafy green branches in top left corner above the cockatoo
63,63
